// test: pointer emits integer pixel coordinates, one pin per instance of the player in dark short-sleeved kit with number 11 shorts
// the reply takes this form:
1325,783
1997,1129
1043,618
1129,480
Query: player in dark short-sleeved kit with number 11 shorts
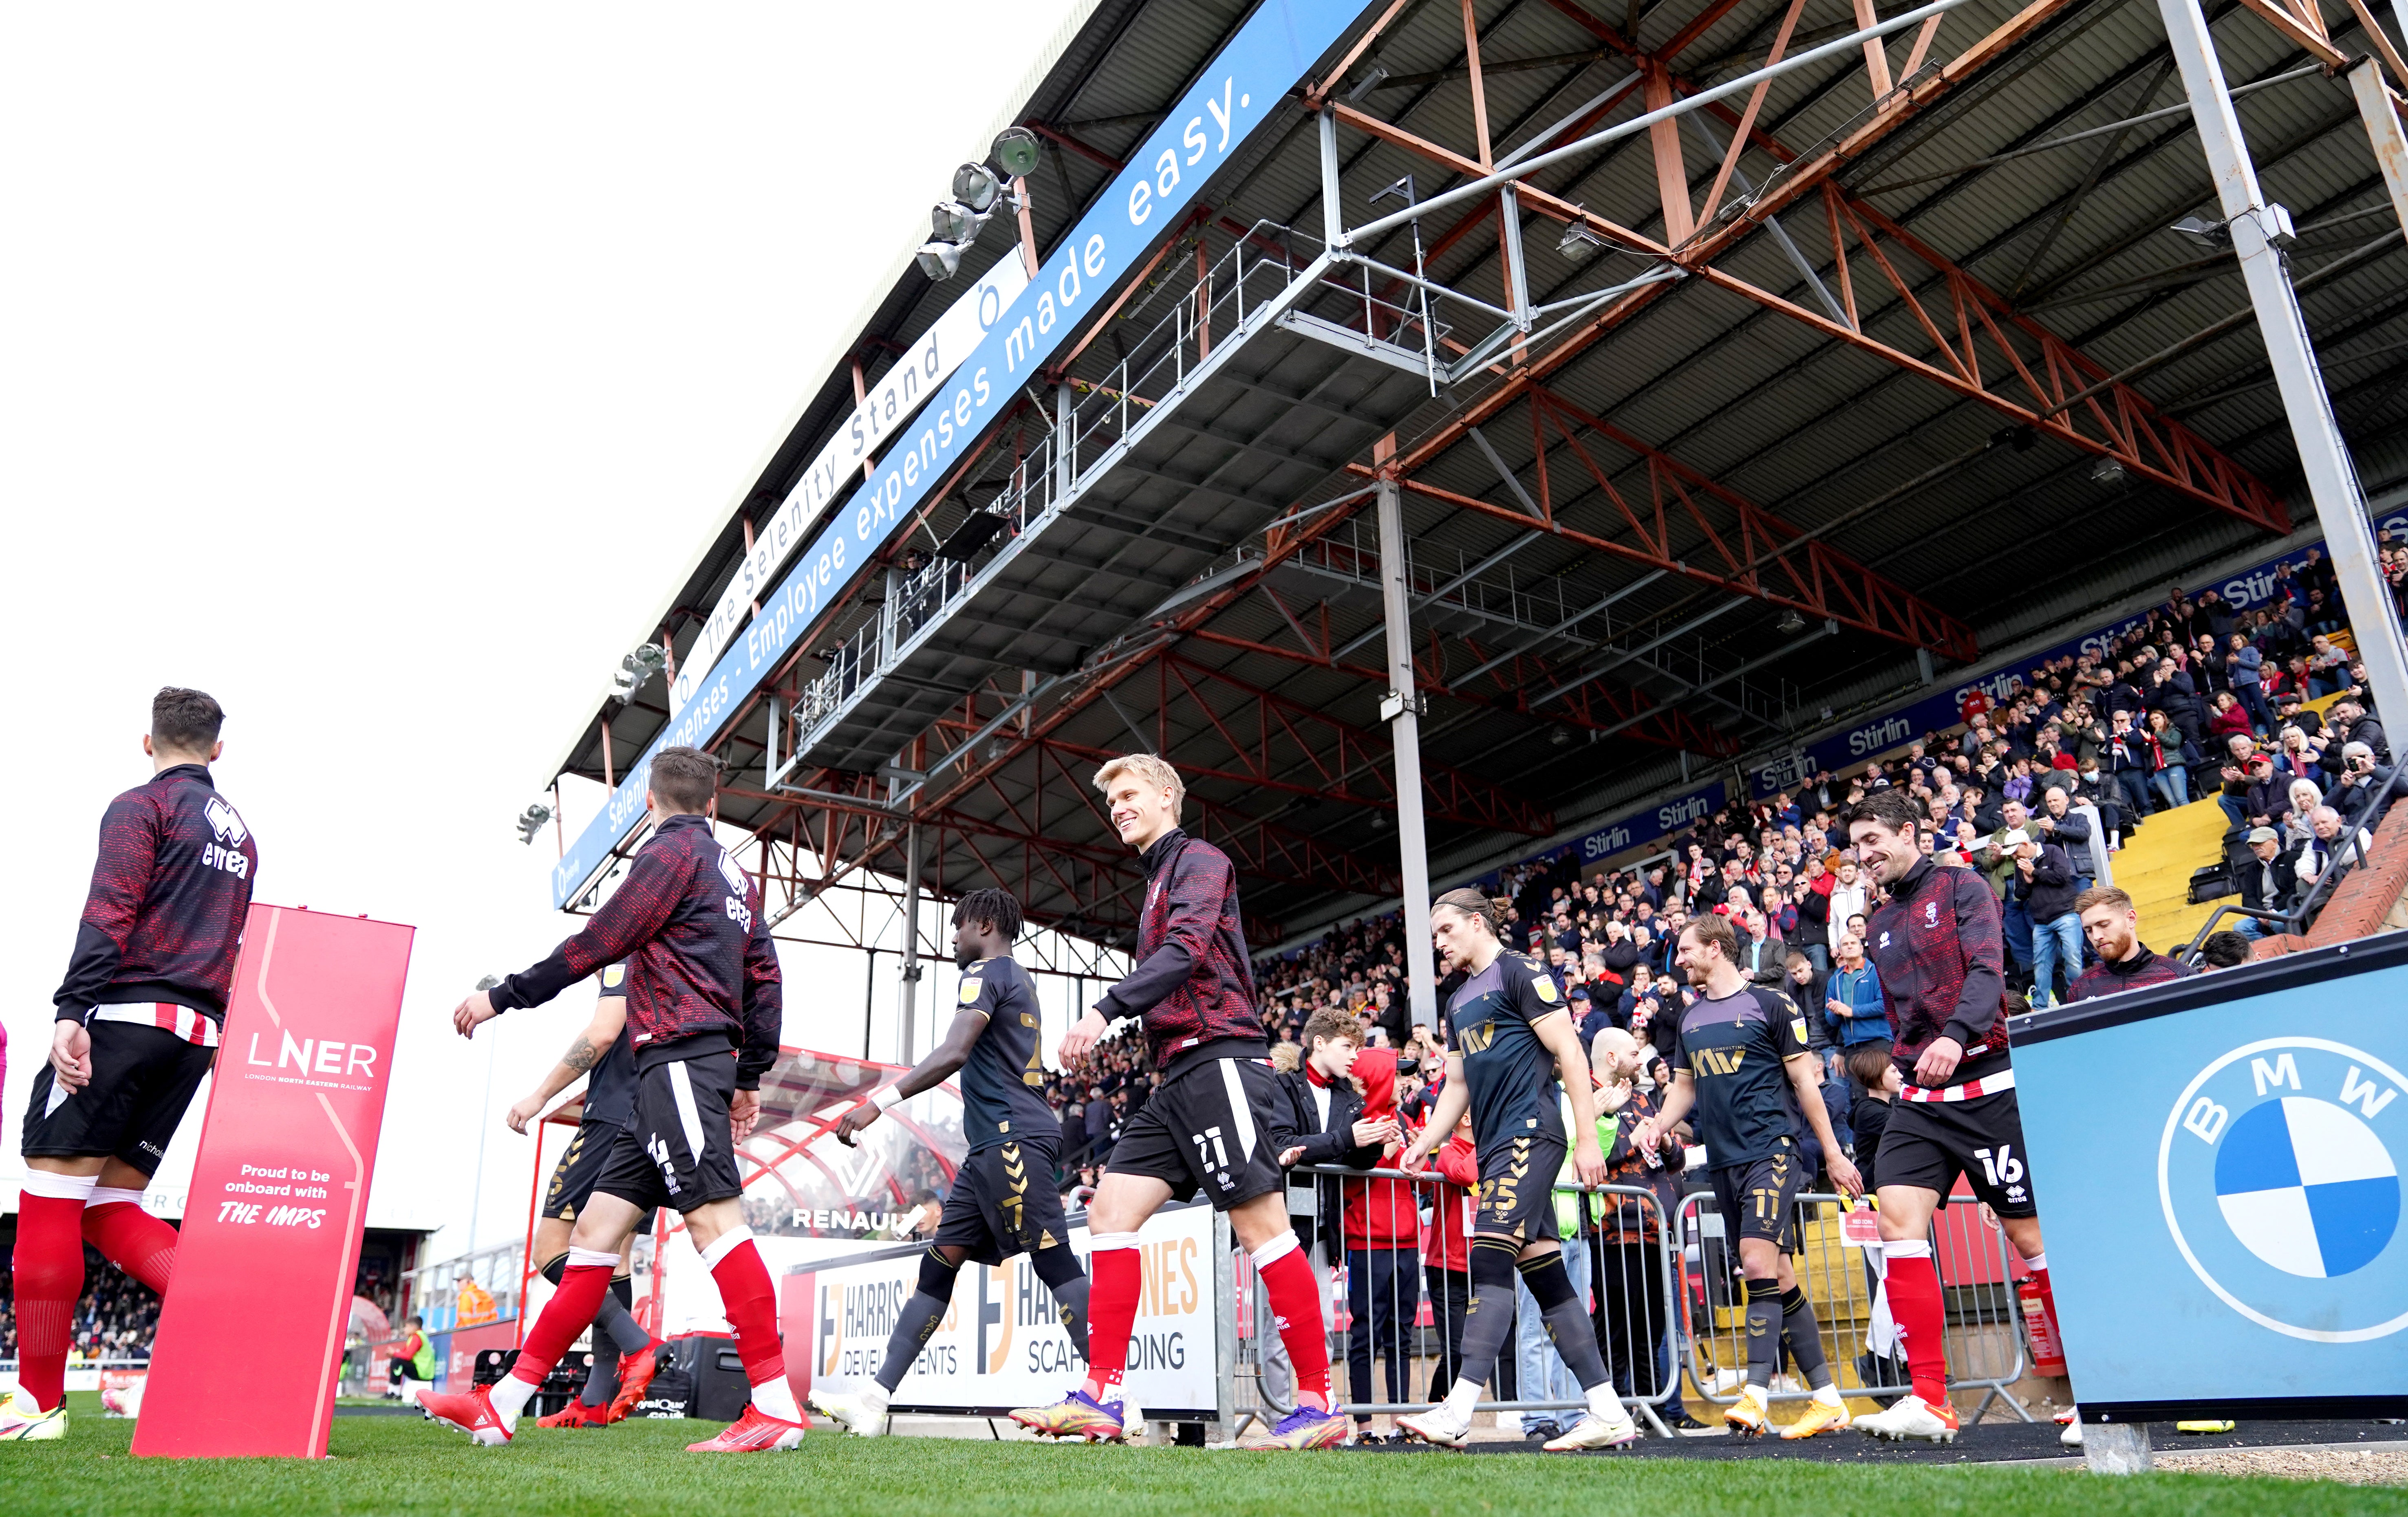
1745,1070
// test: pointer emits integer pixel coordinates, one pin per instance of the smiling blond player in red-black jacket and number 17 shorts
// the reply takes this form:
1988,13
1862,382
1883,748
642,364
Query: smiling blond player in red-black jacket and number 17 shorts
1212,1126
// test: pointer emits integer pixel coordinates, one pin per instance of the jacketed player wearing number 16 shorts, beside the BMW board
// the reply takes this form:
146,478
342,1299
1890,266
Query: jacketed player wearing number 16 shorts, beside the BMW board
1937,945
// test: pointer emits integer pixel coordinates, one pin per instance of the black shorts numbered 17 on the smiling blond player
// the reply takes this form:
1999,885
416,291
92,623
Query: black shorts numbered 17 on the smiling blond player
1210,1131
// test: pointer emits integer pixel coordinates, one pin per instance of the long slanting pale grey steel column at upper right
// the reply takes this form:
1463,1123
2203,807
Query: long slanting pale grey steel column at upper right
2332,480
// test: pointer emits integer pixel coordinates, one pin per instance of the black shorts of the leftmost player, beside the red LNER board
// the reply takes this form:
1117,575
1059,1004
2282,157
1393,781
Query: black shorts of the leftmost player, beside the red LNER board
143,1080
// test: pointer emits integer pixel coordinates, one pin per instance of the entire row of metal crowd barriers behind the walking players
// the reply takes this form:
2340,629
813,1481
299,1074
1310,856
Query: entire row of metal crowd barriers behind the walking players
1663,1299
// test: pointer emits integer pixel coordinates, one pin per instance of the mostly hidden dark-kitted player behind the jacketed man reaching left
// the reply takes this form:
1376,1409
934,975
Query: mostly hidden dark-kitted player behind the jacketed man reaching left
625,1352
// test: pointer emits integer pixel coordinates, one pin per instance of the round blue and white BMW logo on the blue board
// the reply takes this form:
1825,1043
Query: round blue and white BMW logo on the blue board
2282,1186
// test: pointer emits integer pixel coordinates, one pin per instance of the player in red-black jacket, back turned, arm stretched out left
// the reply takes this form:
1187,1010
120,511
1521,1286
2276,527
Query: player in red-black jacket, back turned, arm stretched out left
704,1017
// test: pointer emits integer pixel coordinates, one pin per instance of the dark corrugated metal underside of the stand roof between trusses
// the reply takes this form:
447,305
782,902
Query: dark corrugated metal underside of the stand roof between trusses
2007,538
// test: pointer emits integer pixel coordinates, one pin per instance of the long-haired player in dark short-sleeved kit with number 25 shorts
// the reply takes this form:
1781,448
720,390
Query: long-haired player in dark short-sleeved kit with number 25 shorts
1509,1041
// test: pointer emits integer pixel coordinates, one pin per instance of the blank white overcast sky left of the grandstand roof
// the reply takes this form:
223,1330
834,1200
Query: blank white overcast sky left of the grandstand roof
377,372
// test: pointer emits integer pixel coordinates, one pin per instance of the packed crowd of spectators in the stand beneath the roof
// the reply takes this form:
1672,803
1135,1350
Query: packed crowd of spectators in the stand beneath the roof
2036,786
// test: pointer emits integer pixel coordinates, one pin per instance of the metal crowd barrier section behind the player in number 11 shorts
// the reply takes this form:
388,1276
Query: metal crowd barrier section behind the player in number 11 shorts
1843,1285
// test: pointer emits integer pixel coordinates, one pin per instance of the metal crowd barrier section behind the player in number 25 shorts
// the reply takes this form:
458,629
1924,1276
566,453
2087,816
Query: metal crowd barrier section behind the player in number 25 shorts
1395,1304
